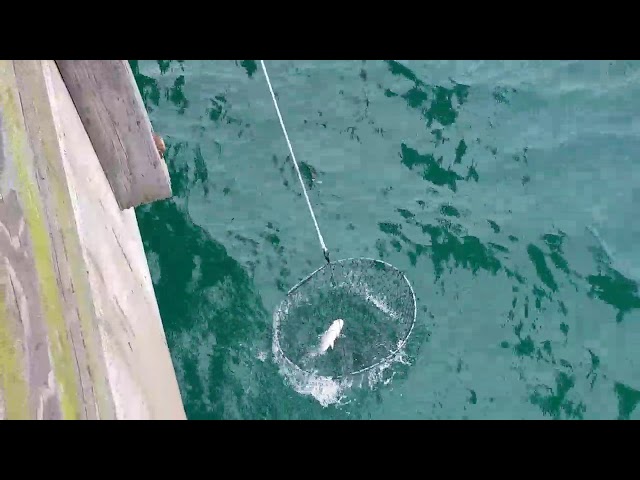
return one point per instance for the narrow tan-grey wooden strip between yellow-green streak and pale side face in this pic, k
(68, 303)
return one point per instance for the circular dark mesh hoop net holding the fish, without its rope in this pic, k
(375, 301)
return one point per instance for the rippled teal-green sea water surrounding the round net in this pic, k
(506, 191)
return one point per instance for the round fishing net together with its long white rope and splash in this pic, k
(376, 298)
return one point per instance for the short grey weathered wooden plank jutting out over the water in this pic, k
(111, 109)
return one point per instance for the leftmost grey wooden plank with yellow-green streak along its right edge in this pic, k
(33, 322)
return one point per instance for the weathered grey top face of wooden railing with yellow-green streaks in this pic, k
(42, 310)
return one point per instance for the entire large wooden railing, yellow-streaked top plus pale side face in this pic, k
(80, 332)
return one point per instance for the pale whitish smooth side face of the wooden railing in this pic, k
(140, 371)
